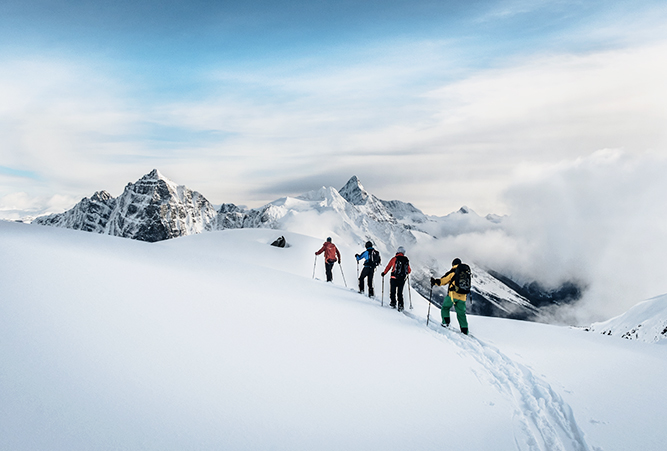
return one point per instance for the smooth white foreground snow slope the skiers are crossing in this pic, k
(221, 341)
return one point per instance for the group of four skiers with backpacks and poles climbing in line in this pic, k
(458, 279)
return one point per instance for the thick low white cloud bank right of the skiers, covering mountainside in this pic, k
(600, 221)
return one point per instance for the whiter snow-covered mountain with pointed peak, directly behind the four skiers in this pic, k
(354, 216)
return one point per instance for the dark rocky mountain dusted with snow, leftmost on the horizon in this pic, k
(152, 209)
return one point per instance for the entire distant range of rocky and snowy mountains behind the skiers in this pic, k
(154, 209)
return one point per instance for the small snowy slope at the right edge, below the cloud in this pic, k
(646, 321)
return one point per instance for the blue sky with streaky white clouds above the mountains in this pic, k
(439, 103)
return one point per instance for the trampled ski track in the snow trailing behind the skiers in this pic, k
(543, 420)
